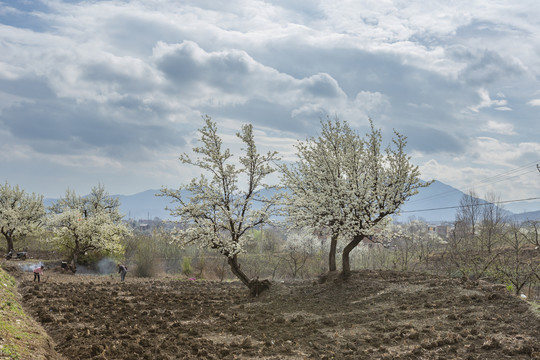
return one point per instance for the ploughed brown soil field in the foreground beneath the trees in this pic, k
(372, 315)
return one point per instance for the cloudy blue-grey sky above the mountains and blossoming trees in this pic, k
(112, 92)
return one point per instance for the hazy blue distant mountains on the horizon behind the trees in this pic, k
(435, 203)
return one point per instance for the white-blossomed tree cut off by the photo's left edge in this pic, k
(20, 213)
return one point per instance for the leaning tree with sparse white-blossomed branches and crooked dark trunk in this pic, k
(217, 213)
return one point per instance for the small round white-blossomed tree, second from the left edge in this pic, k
(90, 223)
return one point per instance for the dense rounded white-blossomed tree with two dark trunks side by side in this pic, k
(348, 184)
